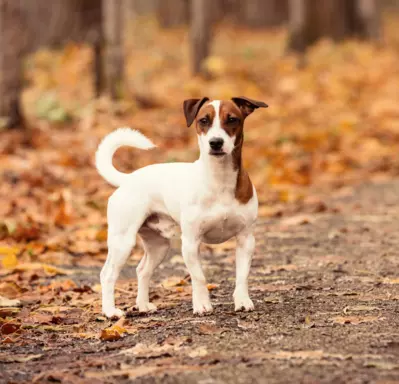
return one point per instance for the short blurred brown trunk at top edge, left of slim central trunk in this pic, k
(172, 13)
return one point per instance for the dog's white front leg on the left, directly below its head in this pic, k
(190, 250)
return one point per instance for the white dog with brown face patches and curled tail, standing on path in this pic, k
(210, 200)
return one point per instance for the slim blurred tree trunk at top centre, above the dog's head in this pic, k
(200, 33)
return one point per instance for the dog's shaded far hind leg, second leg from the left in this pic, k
(156, 248)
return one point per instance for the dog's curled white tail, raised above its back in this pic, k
(109, 145)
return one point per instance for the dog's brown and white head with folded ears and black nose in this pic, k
(219, 124)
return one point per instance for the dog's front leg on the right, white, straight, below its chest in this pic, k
(244, 252)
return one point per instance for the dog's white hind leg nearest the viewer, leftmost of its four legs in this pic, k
(125, 217)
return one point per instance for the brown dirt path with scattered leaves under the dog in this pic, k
(326, 289)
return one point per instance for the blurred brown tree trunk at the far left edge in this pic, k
(11, 47)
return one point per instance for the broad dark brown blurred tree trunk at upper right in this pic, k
(338, 19)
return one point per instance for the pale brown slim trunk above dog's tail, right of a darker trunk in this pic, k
(113, 62)
